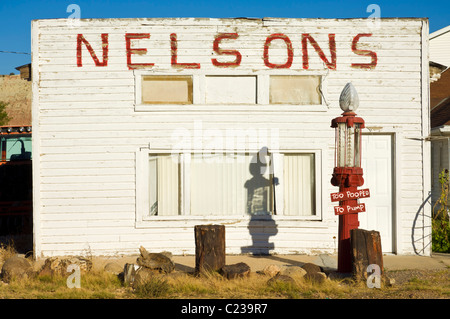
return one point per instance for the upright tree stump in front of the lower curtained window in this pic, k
(209, 247)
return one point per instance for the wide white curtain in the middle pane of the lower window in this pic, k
(229, 184)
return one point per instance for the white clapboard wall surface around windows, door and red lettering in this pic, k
(87, 132)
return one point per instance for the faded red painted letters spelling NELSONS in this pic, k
(224, 58)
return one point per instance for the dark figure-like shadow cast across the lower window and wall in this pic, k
(259, 206)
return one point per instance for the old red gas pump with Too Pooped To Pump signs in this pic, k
(347, 173)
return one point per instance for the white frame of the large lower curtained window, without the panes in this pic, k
(143, 218)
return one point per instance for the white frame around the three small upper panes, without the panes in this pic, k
(262, 92)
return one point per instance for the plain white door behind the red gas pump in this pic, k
(377, 170)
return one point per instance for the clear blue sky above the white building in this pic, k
(16, 15)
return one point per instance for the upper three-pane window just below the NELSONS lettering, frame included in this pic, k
(249, 91)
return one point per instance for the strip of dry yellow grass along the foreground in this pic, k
(99, 284)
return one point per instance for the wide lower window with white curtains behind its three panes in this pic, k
(227, 184)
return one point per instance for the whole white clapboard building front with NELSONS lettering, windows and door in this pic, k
(144, 128)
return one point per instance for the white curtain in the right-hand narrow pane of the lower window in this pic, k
(299, 184)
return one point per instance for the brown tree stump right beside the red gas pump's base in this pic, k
(366, 250)
